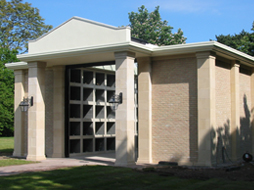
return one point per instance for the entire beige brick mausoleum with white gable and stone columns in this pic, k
(189, 103)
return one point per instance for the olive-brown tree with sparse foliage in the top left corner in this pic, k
(19, 23)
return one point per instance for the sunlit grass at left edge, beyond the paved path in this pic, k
(6, 149)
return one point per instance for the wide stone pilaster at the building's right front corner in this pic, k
(206, 106)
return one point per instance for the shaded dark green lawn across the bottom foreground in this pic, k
(104, 177)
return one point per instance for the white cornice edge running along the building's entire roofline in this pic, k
(144, 50)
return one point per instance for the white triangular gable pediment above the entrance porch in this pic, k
(78, 33)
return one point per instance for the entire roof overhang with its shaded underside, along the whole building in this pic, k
(106, 53)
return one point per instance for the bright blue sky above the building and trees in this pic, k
(200, 20)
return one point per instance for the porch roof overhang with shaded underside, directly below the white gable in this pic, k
(86, 55)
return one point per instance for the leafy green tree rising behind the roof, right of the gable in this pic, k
(149, 27)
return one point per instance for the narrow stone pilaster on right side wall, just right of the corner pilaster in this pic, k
(235, 112)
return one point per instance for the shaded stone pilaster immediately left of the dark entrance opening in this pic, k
(58, 112)
